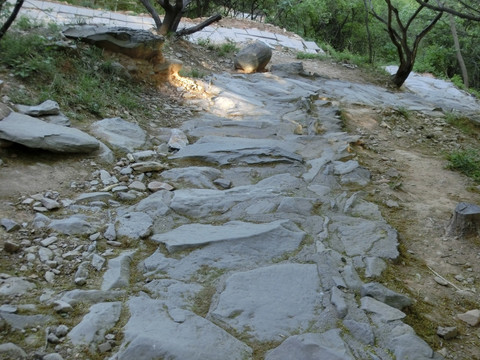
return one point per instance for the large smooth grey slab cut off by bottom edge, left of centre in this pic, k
(156, 332)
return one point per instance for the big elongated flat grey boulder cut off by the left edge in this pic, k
(38, 134)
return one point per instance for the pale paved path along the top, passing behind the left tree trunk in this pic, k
(67, 14)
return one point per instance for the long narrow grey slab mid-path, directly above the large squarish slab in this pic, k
(194, 235)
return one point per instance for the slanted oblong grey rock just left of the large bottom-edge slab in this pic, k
(93, 327)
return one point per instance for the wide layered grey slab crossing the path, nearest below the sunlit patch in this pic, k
(230, 150)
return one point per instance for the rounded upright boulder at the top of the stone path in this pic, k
(253, 57)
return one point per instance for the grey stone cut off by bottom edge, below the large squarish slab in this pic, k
(312, 346)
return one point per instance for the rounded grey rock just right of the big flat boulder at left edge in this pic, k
(121, 135)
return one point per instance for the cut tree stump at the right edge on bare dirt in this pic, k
(465, 221)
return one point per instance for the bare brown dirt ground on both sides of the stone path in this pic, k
(411, 184)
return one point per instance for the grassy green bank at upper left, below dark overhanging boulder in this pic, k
(80, 80)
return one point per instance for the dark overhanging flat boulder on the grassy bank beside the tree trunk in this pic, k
(135, 43)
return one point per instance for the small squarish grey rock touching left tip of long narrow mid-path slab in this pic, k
(134, 225)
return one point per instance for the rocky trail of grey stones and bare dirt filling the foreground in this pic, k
(256, 229)
